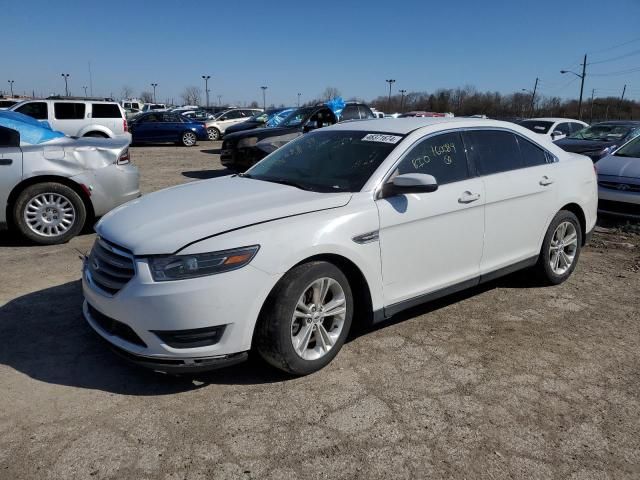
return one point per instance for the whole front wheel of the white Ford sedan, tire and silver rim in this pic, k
(307, 319)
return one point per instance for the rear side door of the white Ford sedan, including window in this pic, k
(518, 178)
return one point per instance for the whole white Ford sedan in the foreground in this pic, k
(347, 224)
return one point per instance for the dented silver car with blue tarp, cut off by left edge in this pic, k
(49, 191)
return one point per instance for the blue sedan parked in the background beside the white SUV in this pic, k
(160, 127)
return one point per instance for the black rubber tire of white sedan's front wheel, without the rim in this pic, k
(273, 332)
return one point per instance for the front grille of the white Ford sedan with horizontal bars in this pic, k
(110, 266)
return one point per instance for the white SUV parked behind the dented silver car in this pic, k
(78, 118)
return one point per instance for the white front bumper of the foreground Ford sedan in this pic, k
(142, 307)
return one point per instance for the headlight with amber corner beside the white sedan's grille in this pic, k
(179, 267)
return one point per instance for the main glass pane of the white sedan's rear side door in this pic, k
(493, 151)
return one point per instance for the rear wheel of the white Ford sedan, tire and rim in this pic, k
(560, 248)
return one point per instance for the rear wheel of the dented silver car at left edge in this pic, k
(49, 213)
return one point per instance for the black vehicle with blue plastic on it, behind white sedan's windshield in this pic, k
(241, 150)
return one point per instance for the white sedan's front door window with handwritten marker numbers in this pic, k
(442, 156)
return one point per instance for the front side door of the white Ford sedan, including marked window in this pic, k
(431, 241)
